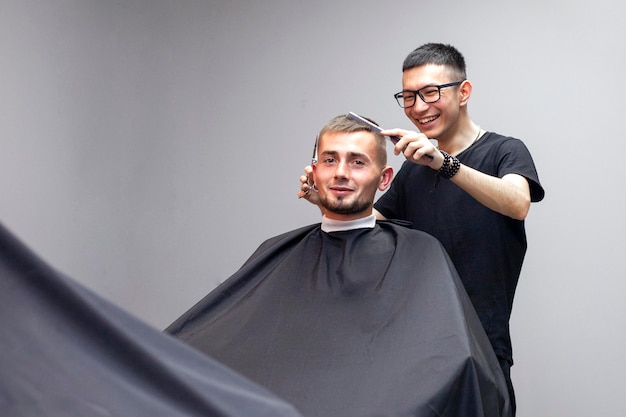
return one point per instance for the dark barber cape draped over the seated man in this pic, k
(364, 323)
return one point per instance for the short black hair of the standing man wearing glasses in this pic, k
(437, 54)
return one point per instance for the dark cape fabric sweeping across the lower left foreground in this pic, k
(66, 352)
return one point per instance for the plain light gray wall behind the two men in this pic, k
(148, 146)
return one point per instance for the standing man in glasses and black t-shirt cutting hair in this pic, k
(472, 192)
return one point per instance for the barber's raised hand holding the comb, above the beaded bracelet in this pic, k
(416, 147)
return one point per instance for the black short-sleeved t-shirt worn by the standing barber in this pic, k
(486, 247)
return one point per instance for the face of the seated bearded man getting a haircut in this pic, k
(347, 174)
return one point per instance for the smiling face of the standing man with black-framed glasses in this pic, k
(433, 119)
